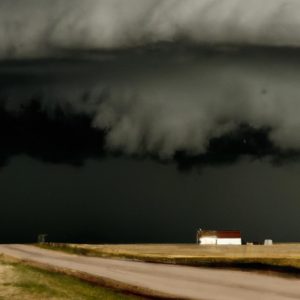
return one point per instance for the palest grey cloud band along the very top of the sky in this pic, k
(43, 27)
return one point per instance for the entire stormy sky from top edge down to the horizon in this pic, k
(141, 121)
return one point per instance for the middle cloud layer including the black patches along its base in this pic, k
(222, 104)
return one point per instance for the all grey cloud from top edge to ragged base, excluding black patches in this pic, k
(157, 77)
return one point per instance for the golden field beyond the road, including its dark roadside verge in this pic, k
(278, 257)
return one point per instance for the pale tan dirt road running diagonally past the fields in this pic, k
(178, 281)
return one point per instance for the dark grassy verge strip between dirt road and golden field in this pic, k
(279, 264)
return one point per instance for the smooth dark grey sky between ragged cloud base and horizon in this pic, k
(120, 200)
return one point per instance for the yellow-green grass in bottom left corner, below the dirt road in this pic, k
(20, 281)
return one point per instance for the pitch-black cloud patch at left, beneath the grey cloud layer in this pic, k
(57, 138)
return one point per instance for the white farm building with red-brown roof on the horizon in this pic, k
(223, 237)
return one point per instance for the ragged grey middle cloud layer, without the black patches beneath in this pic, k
(168, 101)
